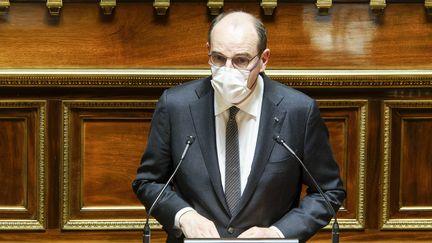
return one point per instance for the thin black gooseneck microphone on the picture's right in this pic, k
(335, 228)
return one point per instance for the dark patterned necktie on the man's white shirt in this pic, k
(232, 162)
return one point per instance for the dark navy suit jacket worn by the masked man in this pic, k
(272, 193)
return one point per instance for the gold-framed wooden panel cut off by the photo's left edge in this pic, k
(22, 165)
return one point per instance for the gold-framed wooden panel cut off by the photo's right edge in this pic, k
(406, 171)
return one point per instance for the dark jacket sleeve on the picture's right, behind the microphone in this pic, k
(312, 213)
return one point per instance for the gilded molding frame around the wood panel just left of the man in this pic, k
(67, 202)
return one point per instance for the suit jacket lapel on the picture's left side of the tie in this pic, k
(202, 112)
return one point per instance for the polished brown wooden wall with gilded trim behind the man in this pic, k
(68, 153)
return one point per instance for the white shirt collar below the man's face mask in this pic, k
(251, 105)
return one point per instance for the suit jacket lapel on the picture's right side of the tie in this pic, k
(270, 124)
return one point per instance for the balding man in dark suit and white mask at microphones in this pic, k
(235, 180)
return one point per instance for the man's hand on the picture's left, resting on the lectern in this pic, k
(194, 225)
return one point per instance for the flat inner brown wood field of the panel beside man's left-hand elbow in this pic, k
(111, 150)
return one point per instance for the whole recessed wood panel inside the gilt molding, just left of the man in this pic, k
(106, 144)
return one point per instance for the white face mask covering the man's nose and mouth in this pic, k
(230, 83)
